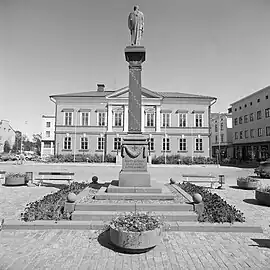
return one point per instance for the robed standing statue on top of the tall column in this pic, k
(136, 26)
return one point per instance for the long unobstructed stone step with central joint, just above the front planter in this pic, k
(130, 207)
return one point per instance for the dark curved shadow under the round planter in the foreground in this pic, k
(104, 240)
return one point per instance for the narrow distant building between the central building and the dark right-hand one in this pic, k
(221, 135)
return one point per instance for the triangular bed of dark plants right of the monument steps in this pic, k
(215, 208)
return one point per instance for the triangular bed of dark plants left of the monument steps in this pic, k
(51, 206)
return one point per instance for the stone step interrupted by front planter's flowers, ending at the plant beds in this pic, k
(186, 216)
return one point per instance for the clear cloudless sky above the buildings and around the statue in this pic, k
(208, 47)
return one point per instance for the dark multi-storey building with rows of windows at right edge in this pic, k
(251, 126)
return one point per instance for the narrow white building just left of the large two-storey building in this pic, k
(47, 136)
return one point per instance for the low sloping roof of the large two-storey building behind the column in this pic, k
(106, 93)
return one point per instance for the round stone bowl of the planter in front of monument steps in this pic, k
(135, 240)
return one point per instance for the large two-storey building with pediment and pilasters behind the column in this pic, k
(95, 122)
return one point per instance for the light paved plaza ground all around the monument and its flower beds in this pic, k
(68, 249)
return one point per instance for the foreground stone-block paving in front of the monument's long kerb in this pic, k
(63, 249)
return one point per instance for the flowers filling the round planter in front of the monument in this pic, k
(136, 222)
